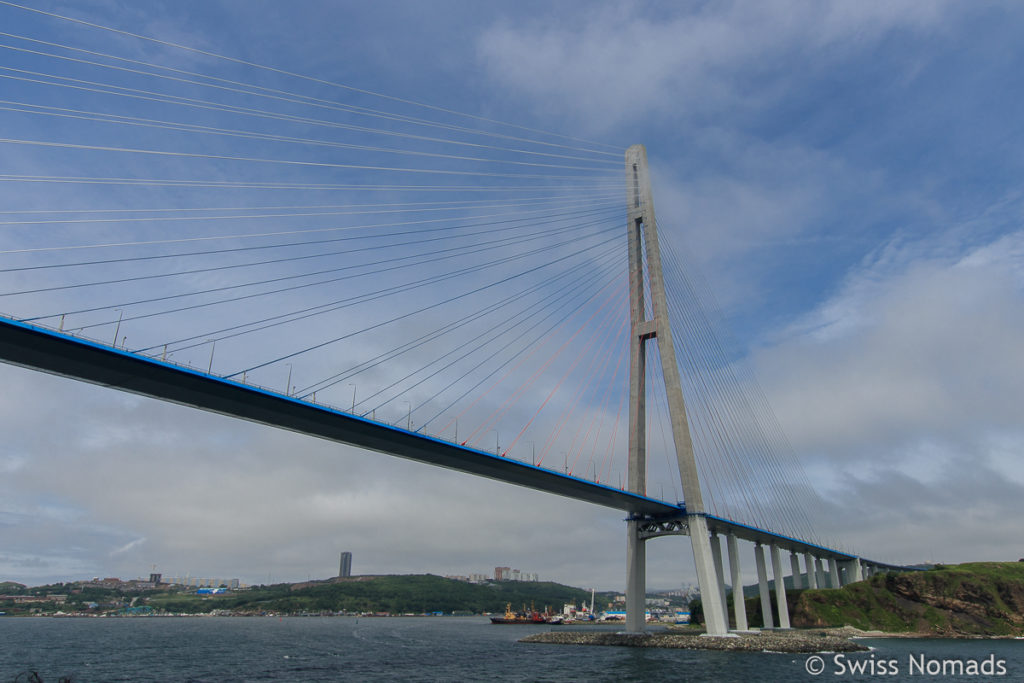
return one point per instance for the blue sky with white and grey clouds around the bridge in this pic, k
(844, 177)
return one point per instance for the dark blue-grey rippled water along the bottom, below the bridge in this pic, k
(412, 650)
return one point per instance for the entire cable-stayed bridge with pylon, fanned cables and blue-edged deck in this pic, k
(444, 287)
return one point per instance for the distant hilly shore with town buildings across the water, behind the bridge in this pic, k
(345, 594)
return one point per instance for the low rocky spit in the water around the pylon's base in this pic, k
(797, 642)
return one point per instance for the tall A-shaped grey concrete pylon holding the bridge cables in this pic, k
(646, 327)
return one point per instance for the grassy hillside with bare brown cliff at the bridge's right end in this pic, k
(974, 600)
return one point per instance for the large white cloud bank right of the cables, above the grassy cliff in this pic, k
(903, 394)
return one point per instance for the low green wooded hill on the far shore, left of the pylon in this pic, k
(394, 594)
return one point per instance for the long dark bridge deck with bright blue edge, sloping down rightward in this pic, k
(51, 352)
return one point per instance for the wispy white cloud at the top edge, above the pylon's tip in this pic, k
(601, 72)
